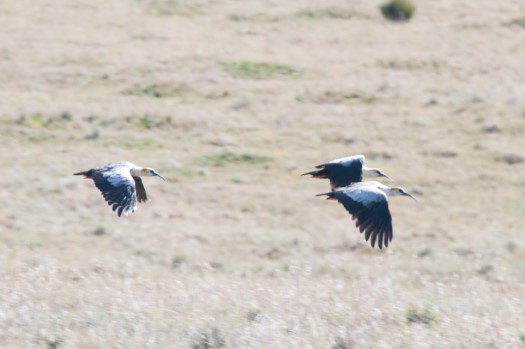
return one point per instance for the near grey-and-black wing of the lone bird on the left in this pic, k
(118, 188)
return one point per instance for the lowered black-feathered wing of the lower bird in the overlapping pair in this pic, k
(372, 218)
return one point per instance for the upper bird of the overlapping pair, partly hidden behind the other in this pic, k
(345, 171)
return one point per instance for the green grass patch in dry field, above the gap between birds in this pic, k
(253, 70)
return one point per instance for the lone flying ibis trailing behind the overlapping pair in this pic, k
(121, 185)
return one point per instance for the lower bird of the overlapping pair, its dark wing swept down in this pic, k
(367, 202)
